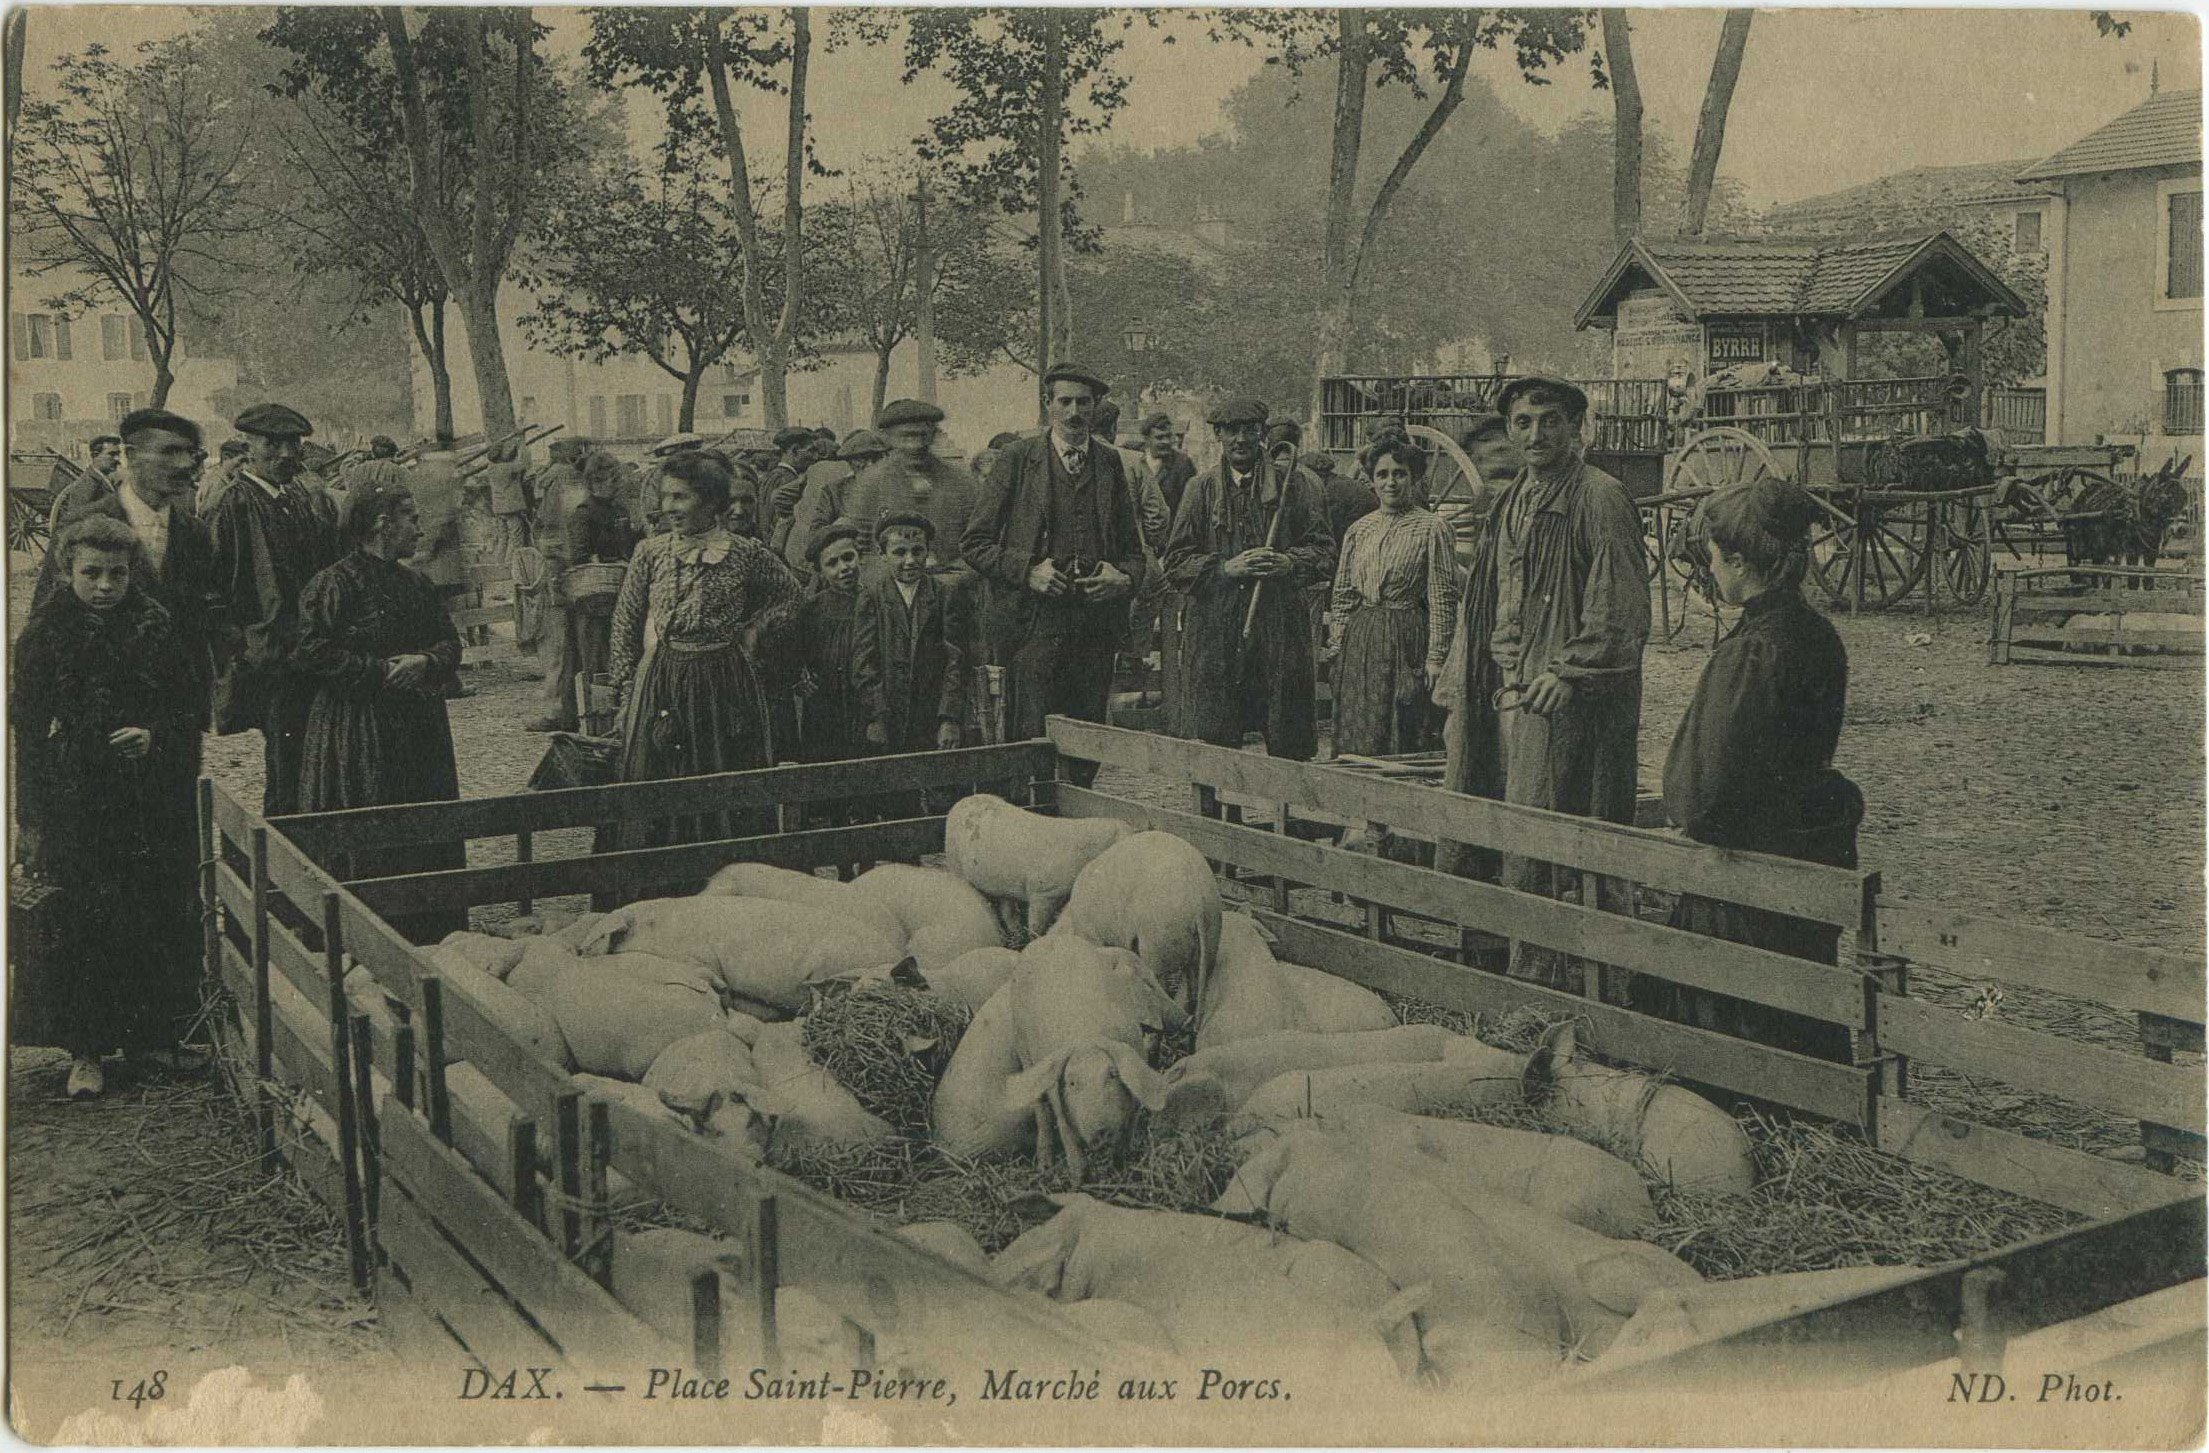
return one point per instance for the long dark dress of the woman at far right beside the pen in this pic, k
(1753, 770)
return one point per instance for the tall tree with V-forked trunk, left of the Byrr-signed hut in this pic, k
(1380, 47)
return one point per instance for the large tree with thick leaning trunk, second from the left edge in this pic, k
(485, 127)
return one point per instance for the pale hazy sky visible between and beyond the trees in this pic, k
(1830, 98)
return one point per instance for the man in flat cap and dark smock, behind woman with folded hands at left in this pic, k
(273, 533)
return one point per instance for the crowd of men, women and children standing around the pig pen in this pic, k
(834, 600)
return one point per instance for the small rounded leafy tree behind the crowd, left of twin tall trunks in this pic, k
(648, 266)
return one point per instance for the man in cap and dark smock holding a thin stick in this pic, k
(1247, 527)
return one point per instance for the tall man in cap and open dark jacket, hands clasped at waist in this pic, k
(1057, 540)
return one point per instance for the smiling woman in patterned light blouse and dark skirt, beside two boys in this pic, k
(681, 646)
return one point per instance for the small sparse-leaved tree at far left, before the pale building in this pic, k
(131, 180)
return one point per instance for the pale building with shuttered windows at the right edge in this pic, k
(2126, 282)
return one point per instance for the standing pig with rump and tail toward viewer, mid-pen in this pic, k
(1154, 895)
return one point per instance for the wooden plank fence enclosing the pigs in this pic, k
(476, 1178)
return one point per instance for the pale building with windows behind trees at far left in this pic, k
(74, 379)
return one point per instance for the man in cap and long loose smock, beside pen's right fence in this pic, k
(1561, 604)
